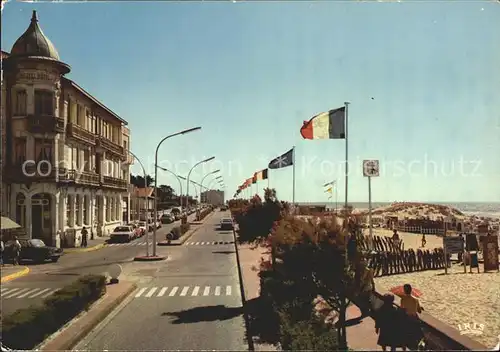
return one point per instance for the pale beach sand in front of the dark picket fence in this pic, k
(456, 298)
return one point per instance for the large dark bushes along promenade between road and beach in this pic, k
(311, 262)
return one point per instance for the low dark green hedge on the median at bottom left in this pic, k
(28, 327)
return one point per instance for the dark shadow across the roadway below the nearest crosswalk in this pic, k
(208, 313)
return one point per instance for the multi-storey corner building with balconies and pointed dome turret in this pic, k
(65, 157)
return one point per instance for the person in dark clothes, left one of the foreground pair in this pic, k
(388, 324)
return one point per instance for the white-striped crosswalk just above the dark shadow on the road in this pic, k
(184, 291)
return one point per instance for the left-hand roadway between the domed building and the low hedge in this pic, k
(45, 279)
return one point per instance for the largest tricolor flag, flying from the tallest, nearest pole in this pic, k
(327, 125)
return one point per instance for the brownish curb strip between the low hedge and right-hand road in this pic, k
(53, 344)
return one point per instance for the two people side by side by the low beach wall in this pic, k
(399, 327)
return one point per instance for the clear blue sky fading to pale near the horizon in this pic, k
(422, 79)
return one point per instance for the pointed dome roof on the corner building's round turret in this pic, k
(34, 43)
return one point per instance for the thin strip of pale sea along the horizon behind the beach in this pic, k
(486, 209)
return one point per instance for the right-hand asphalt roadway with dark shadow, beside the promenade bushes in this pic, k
(190, 302)
